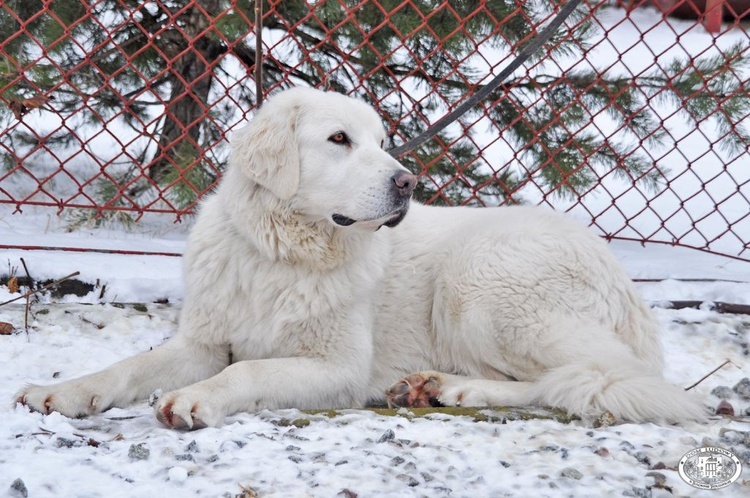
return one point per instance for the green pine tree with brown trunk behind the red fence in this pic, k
(174, 71)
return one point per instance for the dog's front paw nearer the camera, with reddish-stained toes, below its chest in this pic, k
(187, 409)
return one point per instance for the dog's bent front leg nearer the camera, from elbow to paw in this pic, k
(304, 383)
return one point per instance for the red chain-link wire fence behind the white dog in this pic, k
(629, 119)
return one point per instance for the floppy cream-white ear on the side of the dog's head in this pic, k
(266, 150)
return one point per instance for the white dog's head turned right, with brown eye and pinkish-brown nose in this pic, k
(323, 152)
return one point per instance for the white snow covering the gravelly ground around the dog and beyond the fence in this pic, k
(126, 452)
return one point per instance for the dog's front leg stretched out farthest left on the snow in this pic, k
(175, 364)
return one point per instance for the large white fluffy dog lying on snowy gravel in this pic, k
(296, 298)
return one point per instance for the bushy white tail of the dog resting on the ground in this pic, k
(627, 392)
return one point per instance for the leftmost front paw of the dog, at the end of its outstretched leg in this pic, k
(72, 399)
